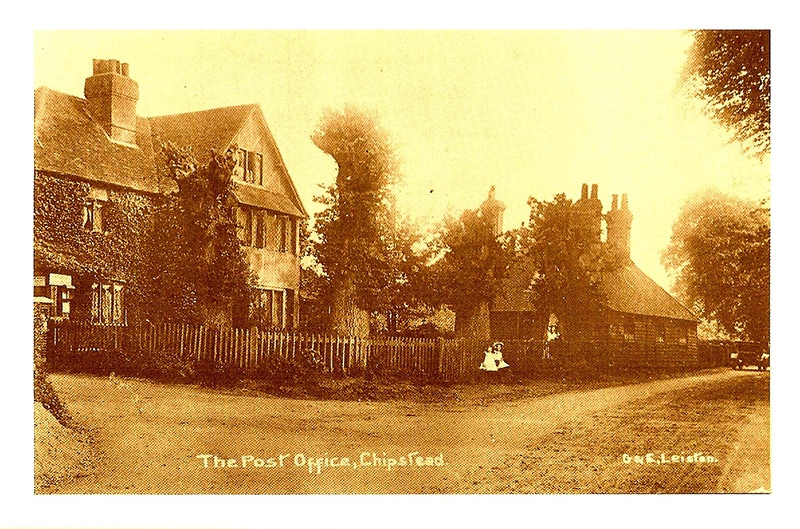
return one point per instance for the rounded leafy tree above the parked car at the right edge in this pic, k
(719, 253)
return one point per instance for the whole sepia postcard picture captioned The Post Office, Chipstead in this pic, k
(401, 262)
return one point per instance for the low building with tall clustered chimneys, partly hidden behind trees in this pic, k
(643, 324)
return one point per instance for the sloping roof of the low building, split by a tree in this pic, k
(626, 289)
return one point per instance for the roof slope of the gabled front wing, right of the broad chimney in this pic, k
(202, 131)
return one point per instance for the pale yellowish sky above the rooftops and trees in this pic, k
(533, 113)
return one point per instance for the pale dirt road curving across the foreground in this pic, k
(150, 435)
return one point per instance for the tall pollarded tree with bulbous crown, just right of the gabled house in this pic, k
(355, 231)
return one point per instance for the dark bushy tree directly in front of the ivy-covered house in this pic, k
(197, 268)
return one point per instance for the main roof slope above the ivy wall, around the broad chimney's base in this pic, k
(68, 141)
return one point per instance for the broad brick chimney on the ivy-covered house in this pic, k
(112, 97)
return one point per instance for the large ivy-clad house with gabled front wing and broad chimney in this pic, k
(95, 182)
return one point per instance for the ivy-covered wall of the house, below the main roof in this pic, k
(63, 245)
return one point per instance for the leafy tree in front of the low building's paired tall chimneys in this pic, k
(568, 260)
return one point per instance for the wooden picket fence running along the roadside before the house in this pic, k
(447, 360)
